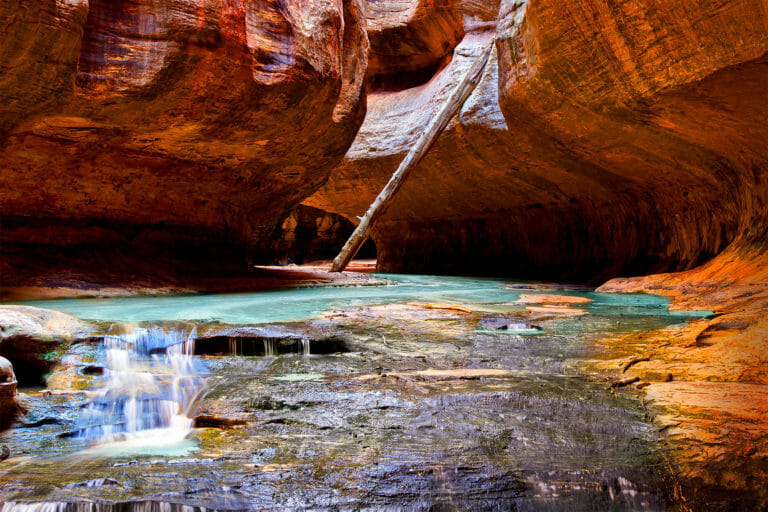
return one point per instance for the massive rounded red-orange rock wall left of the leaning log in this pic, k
(174, 116)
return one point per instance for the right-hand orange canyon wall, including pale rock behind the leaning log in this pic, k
(606, 138)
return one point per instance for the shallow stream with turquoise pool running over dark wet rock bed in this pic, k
(427, 393)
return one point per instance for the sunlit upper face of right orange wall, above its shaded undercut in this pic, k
(641, 48)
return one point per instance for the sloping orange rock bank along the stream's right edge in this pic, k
(705, 382)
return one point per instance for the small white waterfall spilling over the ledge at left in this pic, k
(152, 386)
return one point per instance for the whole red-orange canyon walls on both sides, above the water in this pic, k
(605, 138)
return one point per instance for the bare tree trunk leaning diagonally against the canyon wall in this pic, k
(414, 156)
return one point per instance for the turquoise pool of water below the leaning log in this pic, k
(304, 303)
